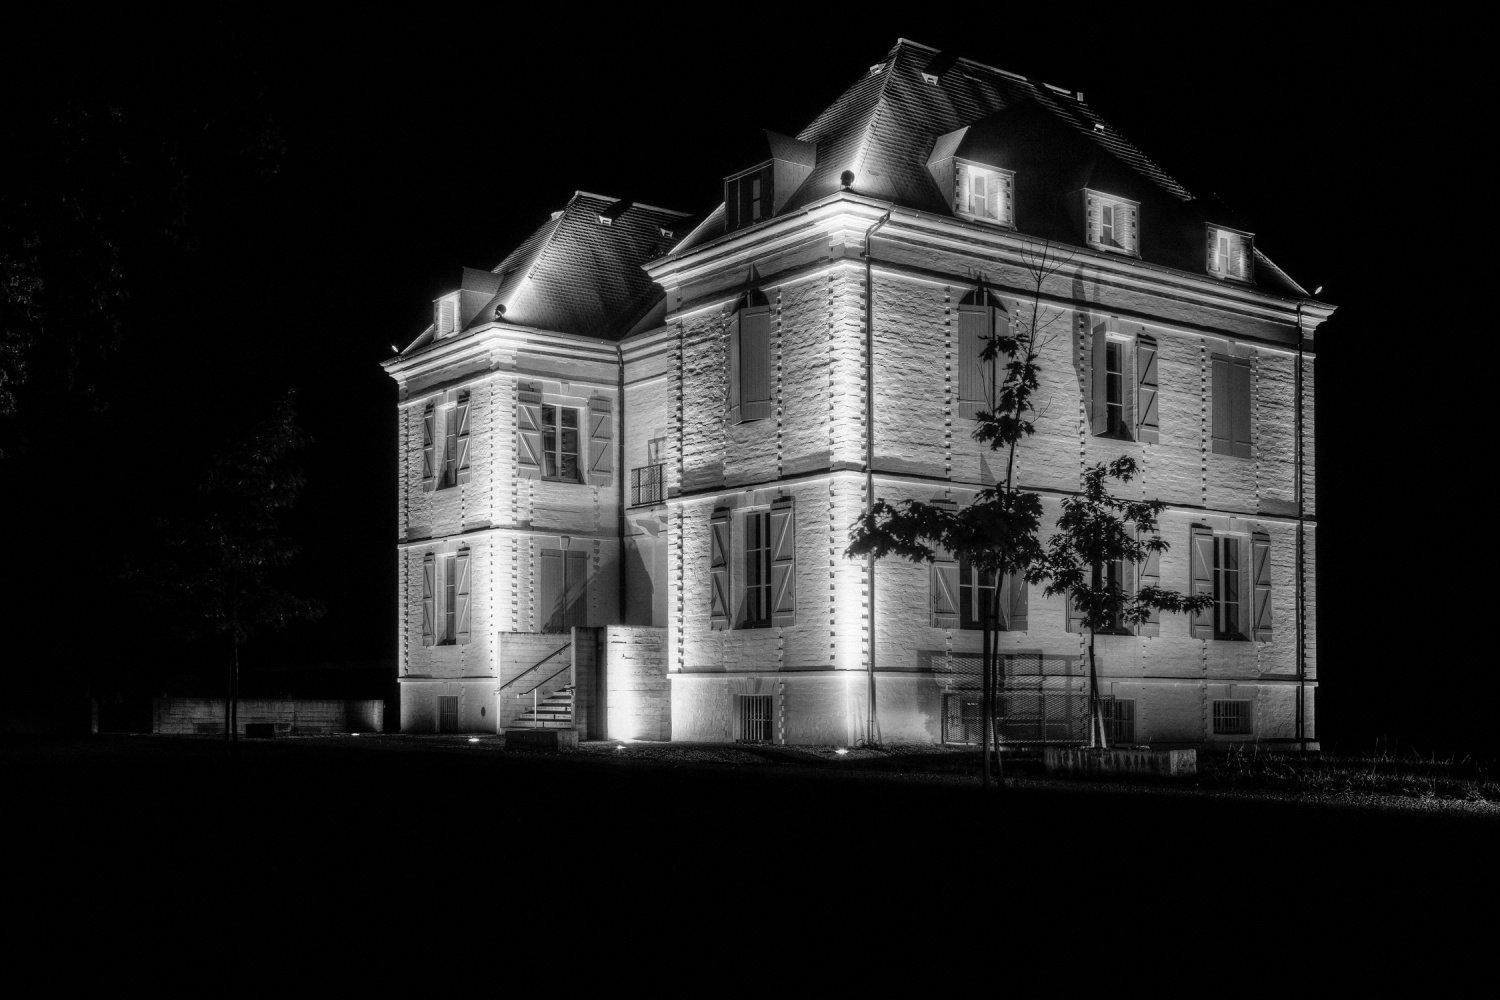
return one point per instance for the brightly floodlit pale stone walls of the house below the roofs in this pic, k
(863, 368)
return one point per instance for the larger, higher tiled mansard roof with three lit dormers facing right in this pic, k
(887, 125)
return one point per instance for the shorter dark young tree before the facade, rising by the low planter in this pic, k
(1099, 539)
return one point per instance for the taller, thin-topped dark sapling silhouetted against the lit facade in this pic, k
(997, 534)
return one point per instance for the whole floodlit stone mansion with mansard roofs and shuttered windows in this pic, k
(650, 434)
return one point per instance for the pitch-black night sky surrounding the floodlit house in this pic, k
(418, 146)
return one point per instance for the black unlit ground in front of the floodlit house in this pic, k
(394, 843)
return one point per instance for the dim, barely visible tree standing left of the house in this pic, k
(224, 554)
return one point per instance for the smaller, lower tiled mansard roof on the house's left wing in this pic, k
(581, 272)
